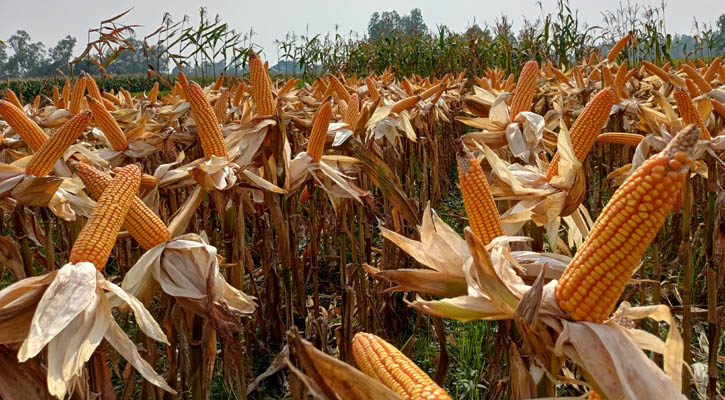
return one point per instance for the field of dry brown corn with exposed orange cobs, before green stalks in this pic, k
(293, 238)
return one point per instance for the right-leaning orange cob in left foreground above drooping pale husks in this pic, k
(98, 236)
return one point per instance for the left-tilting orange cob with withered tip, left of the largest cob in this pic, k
(477, 199)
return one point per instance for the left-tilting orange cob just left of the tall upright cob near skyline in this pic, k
(207, 126)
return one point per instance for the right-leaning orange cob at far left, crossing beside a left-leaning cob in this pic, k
(43, 160)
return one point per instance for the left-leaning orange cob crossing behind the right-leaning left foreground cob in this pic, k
(143, 224)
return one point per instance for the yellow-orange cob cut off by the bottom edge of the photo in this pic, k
(383, 362)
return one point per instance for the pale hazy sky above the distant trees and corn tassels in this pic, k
(48, 21)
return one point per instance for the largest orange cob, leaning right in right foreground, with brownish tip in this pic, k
(596, 276)
